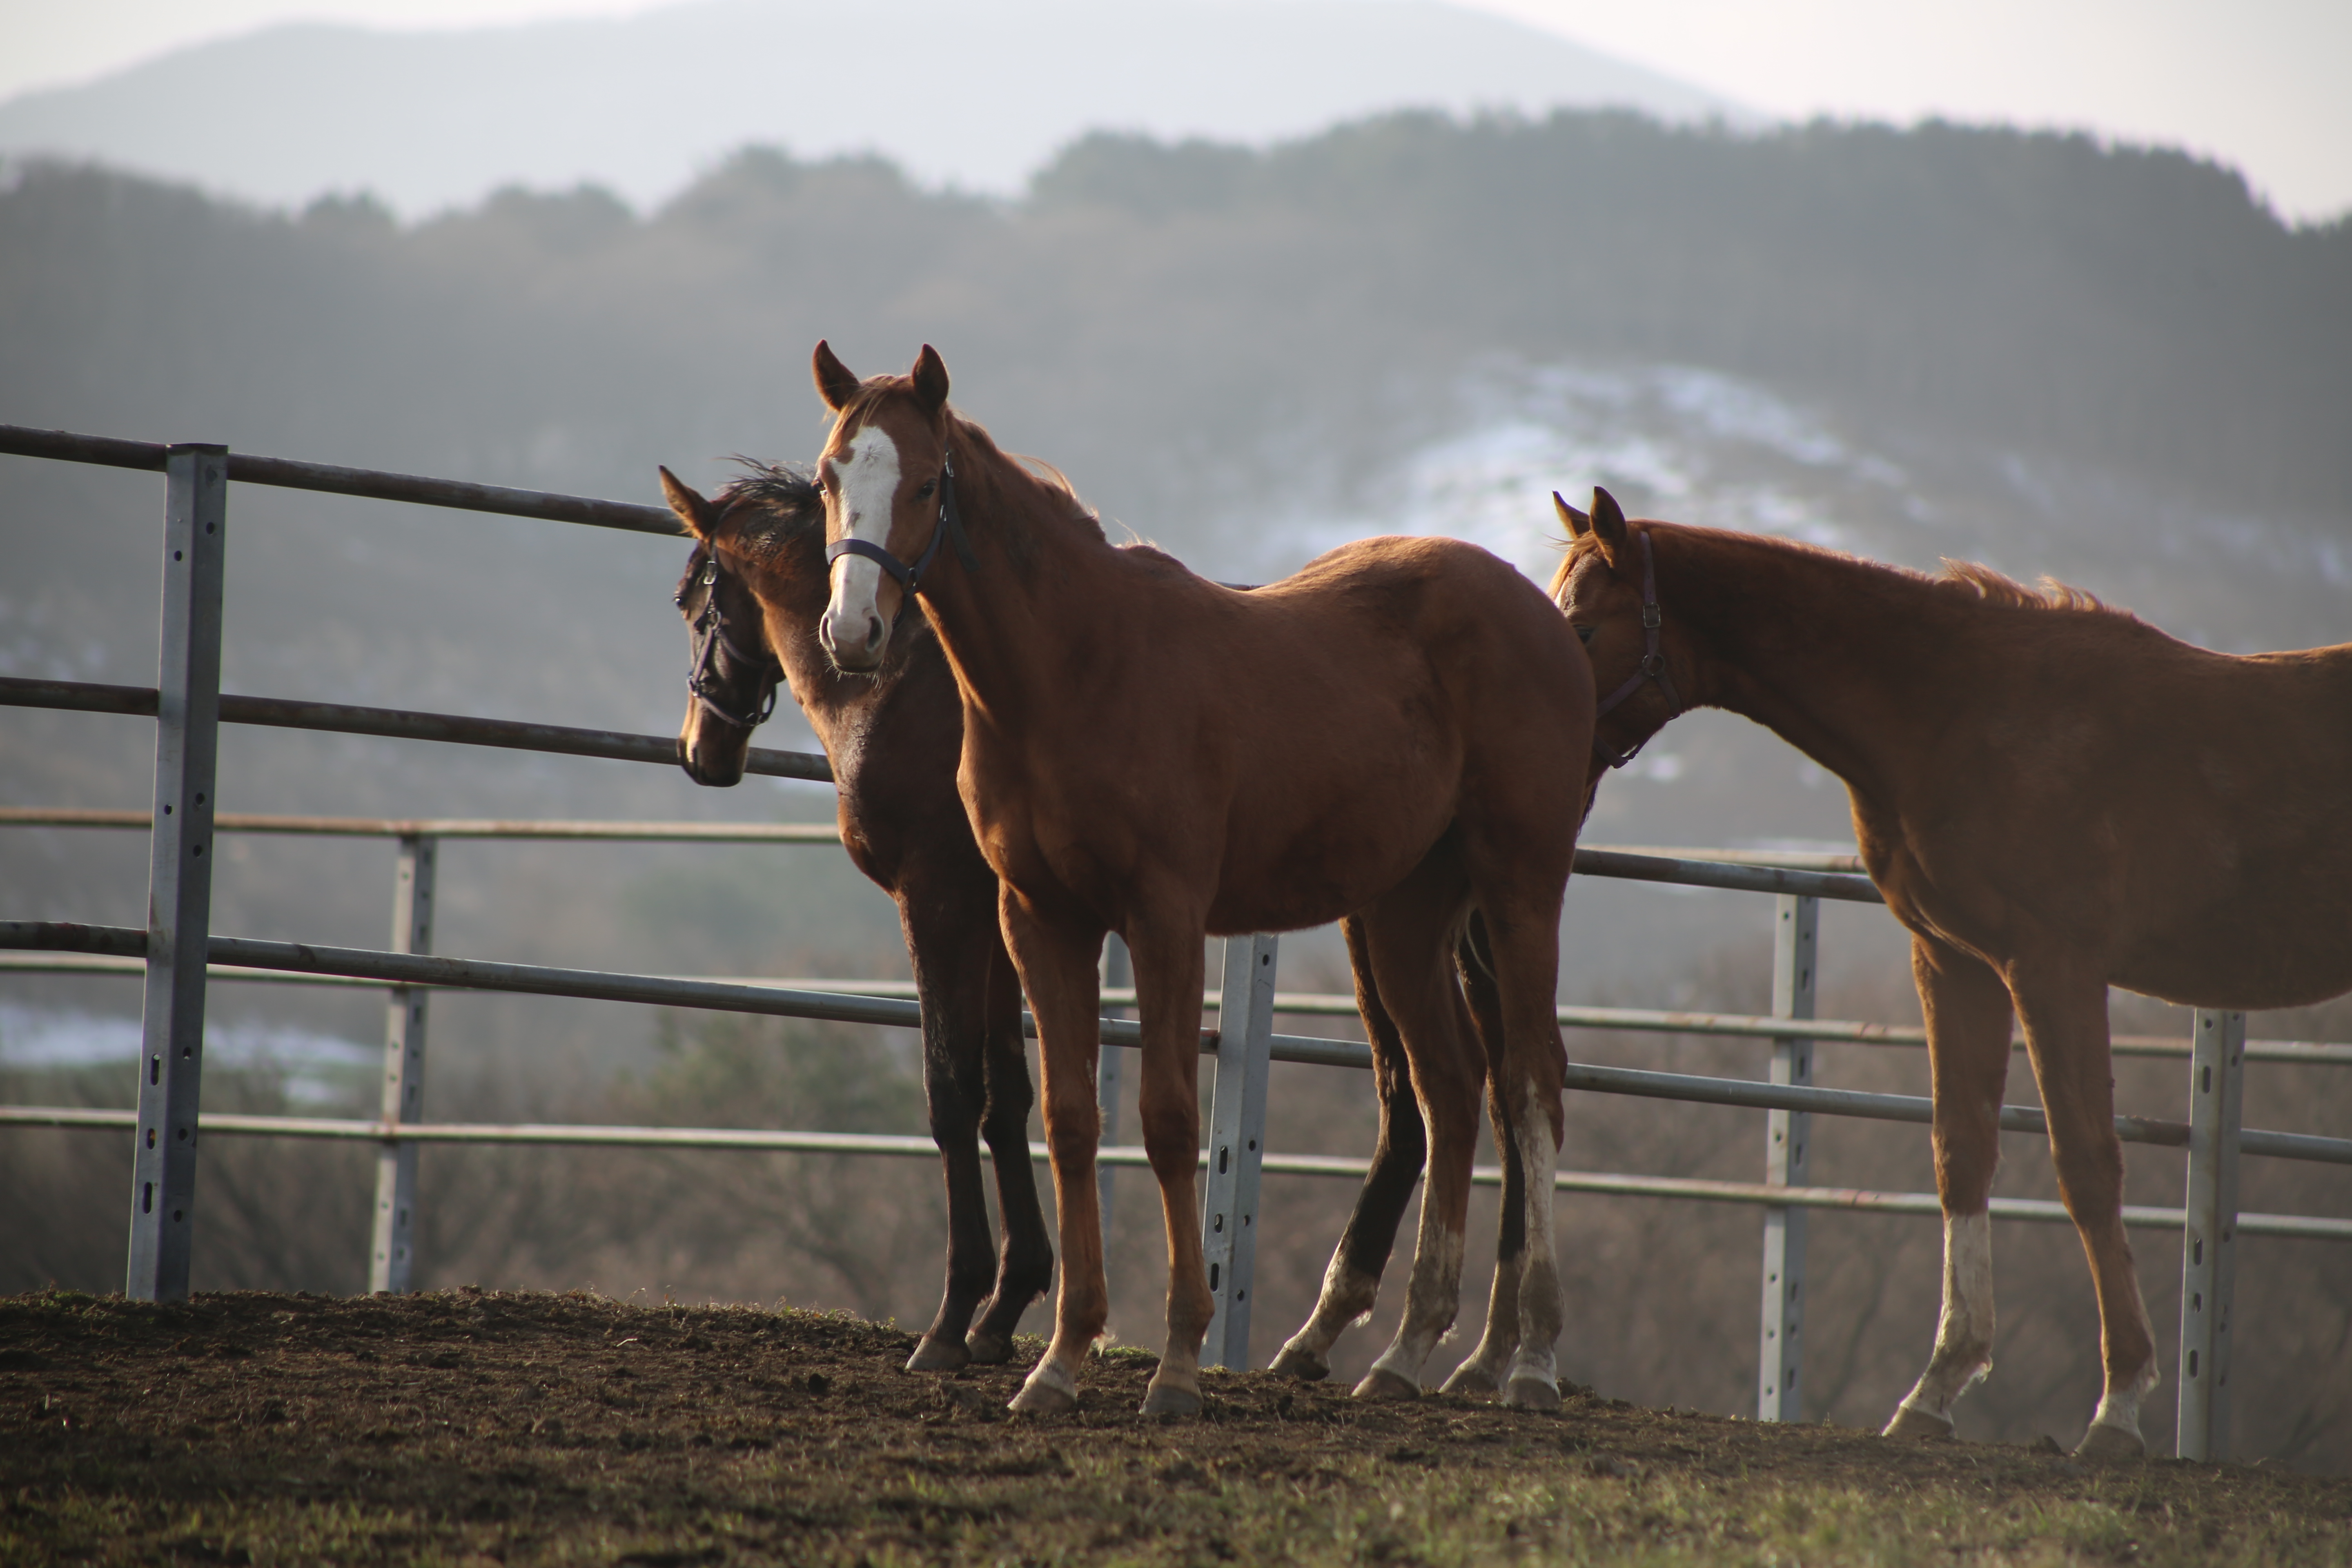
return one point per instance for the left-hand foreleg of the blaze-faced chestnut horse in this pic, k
(1060, 972)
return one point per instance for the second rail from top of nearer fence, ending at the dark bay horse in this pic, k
(403, 725)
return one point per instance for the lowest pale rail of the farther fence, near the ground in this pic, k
(759, 1141)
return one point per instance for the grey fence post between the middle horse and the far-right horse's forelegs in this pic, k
(1786, 1148)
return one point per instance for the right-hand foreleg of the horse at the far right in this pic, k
(2066, 1031)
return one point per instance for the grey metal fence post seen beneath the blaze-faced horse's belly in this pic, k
(1245, 1036)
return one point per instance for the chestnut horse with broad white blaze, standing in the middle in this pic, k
(1389, 735)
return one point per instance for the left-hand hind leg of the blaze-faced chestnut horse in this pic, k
(1410, 942)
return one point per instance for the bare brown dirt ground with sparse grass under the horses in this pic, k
(573, 1428)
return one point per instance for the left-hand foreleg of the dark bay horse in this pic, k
(951, 977)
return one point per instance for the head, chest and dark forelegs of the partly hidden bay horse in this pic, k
(754, 591)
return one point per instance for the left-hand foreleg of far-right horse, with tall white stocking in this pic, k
(1967, 1050)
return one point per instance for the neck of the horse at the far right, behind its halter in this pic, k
(1829, 655)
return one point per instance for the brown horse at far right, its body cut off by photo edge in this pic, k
(2054, 798)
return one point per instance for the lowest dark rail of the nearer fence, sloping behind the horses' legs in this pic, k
(841, 1007)
